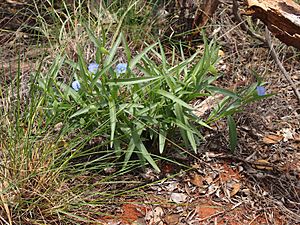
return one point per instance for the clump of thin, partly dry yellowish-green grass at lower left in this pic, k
(39, 181)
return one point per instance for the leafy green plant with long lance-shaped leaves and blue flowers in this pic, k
(145, 104)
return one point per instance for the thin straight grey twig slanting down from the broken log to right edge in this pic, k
(276, 59)
